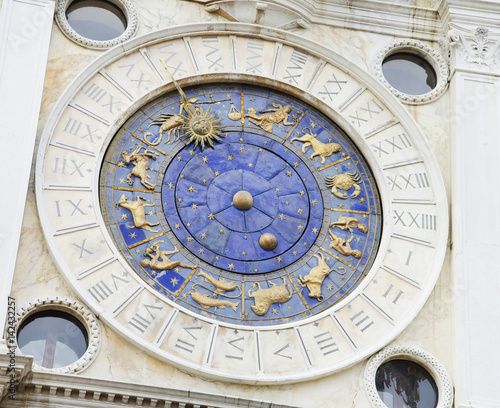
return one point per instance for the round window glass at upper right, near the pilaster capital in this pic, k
(409, 73)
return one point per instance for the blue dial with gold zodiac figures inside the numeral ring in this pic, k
(304, 236)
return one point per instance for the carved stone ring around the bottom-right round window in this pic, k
(412, 353)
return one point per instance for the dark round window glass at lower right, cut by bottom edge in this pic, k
(405, 384)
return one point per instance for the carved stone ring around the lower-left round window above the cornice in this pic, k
(76, 309)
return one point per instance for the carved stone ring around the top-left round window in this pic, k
(125, 5)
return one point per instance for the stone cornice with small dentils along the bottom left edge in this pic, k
(66, 390)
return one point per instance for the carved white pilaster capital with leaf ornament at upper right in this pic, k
(474, 50)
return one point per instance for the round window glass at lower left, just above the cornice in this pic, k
(56, 339)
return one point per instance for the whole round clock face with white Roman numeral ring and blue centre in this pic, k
(253, 230)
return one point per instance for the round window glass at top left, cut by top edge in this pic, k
(96, 20)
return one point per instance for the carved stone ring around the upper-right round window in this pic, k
(417, 48)
